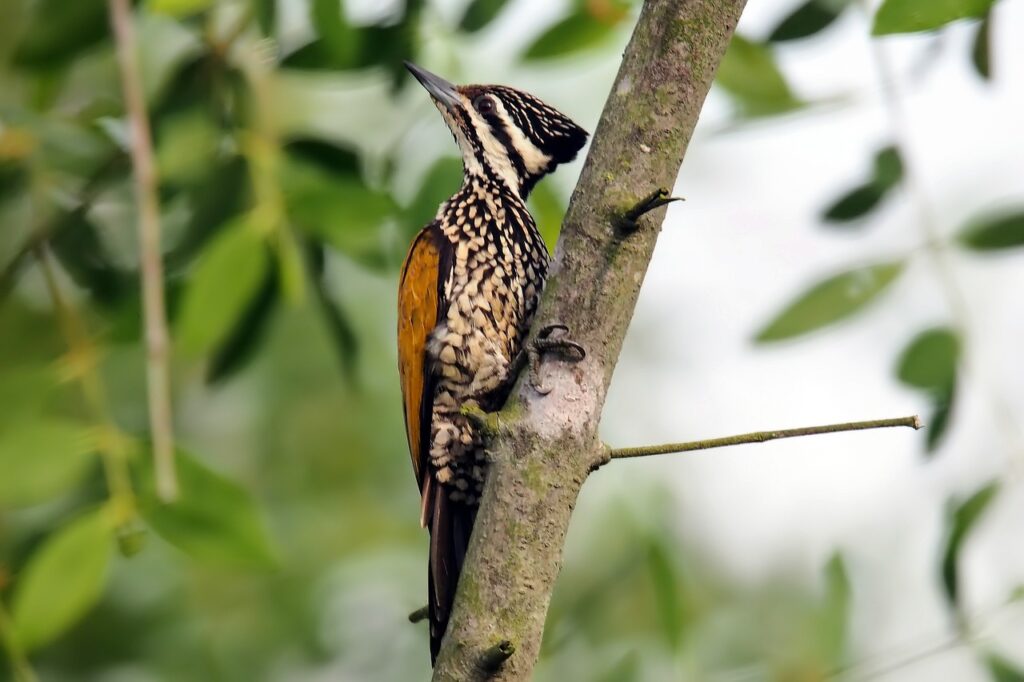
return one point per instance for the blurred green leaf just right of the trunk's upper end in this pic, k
(750, 75)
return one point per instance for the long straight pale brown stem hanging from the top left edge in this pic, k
(157, 338)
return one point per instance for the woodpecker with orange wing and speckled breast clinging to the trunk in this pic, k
(468, 290)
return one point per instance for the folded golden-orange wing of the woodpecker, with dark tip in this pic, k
(421, 307)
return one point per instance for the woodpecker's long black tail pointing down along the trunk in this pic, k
(451, 524)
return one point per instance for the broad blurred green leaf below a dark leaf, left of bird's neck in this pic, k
(339, 209)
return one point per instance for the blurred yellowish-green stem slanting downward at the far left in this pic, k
(82, 366)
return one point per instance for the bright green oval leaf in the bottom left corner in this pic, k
(63, 580)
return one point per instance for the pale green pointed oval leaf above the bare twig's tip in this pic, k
(831, 301)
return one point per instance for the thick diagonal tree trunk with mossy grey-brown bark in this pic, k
(543, 447)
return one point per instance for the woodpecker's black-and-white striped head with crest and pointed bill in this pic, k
(505, 135)
